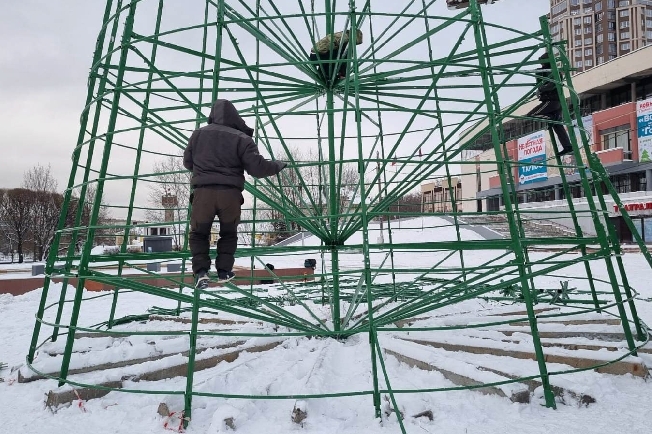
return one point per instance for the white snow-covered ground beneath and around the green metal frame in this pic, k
(302, 365)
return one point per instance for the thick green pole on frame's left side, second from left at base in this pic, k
(83, 265)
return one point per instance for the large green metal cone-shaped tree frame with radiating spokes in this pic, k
(140, 101)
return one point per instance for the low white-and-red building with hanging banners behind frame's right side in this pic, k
(616, 107)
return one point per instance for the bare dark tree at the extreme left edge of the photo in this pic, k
(16, 213)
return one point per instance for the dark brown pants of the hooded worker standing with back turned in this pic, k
(208, 202)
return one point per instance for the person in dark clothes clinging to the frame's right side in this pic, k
(550, 106)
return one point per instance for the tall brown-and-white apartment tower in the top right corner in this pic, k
(600, 30)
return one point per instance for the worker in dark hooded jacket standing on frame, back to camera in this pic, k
(218, 154)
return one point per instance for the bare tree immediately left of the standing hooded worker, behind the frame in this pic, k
(172, 182)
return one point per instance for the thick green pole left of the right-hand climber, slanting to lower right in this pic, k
(517, 246)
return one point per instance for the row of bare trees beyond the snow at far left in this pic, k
(29, 215)
